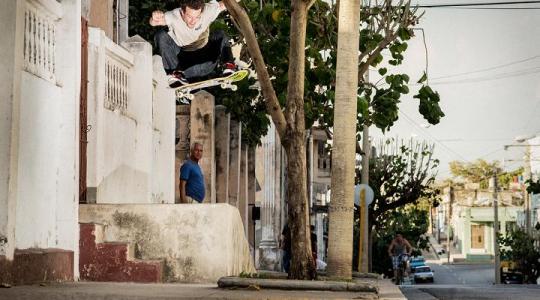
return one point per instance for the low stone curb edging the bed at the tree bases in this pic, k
(287, 284)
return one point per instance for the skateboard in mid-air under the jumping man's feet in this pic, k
(186, 91)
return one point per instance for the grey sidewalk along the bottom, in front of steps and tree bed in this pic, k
(135, 291)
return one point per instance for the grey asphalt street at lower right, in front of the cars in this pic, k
(467, 281)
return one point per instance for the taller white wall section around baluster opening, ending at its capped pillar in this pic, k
(119, 142)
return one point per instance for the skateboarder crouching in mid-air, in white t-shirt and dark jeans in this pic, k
(189, 50)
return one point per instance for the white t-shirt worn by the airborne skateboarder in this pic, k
(192, 38)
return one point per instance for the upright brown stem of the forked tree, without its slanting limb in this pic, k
(302, 264)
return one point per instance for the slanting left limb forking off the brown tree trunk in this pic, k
(246, 29)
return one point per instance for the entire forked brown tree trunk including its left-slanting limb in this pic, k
(290, 126)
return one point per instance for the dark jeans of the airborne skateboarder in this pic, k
(194, 64)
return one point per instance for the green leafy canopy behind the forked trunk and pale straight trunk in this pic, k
(383, 29)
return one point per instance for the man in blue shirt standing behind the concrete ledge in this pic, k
(191, 178)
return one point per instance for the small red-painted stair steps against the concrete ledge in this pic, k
(113, 261)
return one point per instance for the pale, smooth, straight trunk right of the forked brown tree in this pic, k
(340, 239)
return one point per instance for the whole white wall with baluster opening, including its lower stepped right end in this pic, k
(131, 148)
